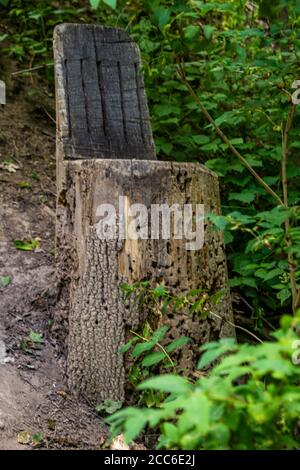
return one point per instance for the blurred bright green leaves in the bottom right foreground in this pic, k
(250, 399)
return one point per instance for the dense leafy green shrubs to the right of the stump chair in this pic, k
(223, 78)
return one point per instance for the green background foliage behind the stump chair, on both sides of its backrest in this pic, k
(241, 60)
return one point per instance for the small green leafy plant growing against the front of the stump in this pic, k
(149, 350)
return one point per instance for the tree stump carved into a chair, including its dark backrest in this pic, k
(109, 159)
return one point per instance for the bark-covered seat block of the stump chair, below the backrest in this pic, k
(98, 315)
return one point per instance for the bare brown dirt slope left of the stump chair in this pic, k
(36, 409)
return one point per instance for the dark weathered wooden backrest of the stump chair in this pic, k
(102, 109)
